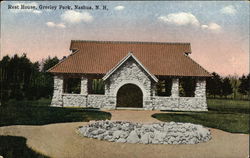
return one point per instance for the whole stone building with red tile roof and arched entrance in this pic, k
(147, 75)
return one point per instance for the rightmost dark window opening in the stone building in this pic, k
(187, 87)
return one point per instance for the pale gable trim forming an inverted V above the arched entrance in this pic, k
(130, 55)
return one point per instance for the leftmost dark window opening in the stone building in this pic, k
(72, 85)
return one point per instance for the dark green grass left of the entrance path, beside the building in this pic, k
(43, 114)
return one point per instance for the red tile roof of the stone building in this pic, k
(167, 59)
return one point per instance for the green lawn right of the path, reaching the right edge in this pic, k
(228, 115)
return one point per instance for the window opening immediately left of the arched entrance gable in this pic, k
(96, 86)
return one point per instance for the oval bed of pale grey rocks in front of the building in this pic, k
(156, 133)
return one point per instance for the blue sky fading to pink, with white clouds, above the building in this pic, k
(218, 31)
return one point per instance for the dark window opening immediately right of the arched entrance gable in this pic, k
(164, 87)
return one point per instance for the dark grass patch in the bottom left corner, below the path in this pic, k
(15, 147)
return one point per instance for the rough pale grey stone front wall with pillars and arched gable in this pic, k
(130, 73)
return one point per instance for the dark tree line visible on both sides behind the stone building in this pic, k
(22, 79)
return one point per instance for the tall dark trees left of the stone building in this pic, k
(22, 79)
